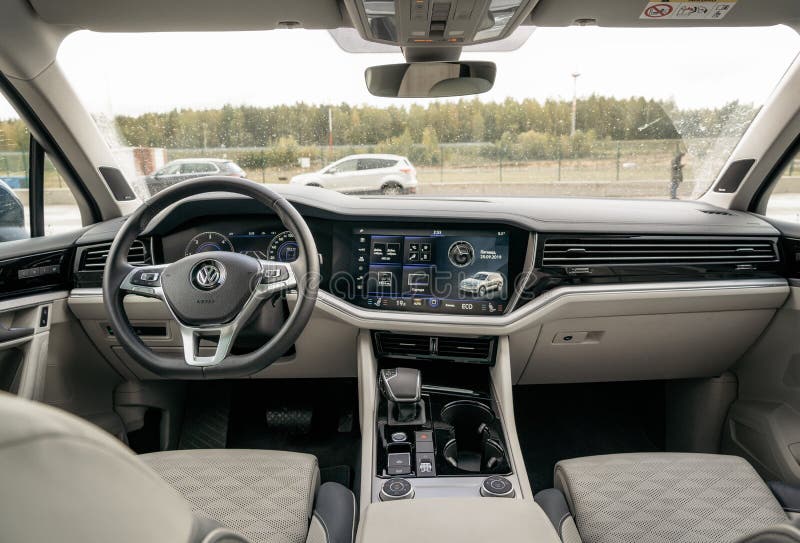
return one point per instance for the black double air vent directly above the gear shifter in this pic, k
(463, 349)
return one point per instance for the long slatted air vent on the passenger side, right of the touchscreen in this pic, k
(609, 251)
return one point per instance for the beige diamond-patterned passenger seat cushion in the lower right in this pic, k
(663, 498)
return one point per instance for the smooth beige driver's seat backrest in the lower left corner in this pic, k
(63, 479)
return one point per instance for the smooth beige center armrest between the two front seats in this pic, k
(462, 520)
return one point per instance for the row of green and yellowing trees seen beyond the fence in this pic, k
(526, 127)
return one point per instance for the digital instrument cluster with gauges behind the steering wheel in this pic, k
(268, 245)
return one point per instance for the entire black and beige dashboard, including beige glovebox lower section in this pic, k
(576, 279)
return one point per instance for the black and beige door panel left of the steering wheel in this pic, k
(45, 355)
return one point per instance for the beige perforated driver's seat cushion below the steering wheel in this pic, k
(267, 496)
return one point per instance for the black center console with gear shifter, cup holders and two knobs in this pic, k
(438, 427)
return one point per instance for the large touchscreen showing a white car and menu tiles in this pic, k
(437, 271)
